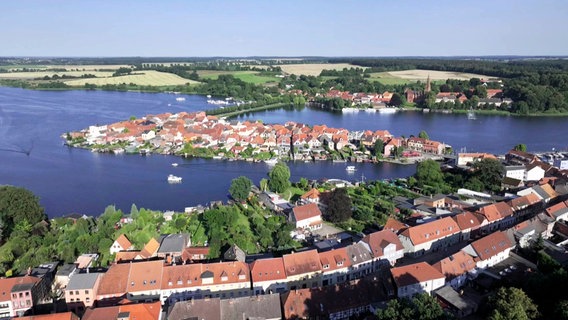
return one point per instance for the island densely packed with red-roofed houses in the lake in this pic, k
(200, 135)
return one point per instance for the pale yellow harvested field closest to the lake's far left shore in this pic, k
(141, 78)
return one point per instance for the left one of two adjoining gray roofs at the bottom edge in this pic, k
(206, 309)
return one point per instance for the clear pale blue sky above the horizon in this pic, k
(195, 28)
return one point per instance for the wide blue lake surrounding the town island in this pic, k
(32, 154)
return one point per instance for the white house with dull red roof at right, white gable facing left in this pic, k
(490, 250)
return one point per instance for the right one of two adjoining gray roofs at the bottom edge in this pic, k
(256, 307)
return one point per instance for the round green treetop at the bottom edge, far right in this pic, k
(512, 304)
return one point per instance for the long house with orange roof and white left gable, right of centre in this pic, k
(429, 236)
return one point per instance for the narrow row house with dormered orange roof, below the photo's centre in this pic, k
(335, 265)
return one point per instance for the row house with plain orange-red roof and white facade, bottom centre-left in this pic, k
(268, 276)
